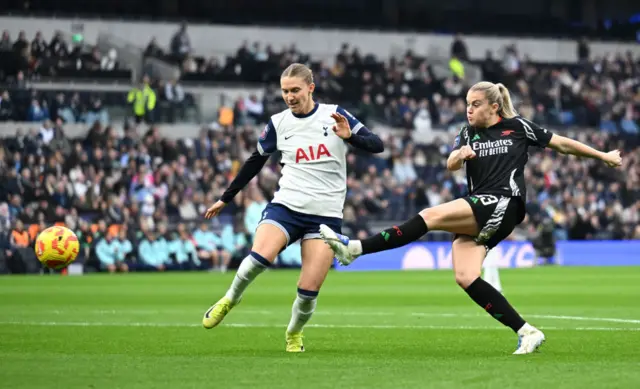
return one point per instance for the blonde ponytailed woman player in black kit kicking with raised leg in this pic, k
(493, 146)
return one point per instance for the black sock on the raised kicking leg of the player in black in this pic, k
(395, 236)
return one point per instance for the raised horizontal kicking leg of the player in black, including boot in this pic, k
(455, 216)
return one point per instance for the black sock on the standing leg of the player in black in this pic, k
(495, 304)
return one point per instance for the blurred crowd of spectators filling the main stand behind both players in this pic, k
(136, 199)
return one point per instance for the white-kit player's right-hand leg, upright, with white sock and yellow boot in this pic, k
(316, 262)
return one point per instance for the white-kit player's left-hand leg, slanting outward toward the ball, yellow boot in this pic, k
(268, 242)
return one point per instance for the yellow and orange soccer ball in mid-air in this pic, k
(56, 247)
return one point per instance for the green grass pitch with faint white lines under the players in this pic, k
(371, 330)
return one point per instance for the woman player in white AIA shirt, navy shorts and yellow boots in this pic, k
(313, 141)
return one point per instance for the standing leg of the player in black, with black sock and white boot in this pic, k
(467, 264)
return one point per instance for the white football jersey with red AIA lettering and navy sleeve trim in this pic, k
(314, 176)
